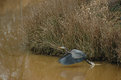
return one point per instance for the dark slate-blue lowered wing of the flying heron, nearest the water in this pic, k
(68, 60)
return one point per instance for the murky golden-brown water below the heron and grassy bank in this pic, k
(37, 67)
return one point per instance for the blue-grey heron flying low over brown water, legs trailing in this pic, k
(73, 56)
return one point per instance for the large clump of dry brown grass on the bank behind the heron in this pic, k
(86, 25)
